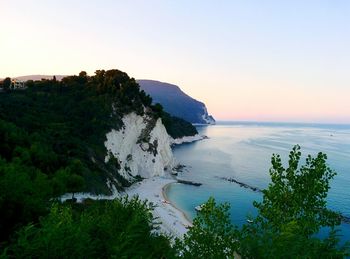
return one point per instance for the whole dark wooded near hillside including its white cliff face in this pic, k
(95, 134)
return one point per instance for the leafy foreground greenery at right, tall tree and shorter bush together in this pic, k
(292, 212)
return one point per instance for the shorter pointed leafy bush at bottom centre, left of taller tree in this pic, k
(211, 236)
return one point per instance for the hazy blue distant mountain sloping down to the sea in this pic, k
(176, 102)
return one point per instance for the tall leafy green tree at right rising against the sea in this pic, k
(292, 211)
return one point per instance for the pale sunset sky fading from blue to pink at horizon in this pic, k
(246, 60)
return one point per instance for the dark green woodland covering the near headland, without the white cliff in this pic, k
(52, 138)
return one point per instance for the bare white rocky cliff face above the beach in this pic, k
(140, 148)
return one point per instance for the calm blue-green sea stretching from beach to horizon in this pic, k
(244, 150)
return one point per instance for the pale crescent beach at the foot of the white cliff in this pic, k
(173, 221)
